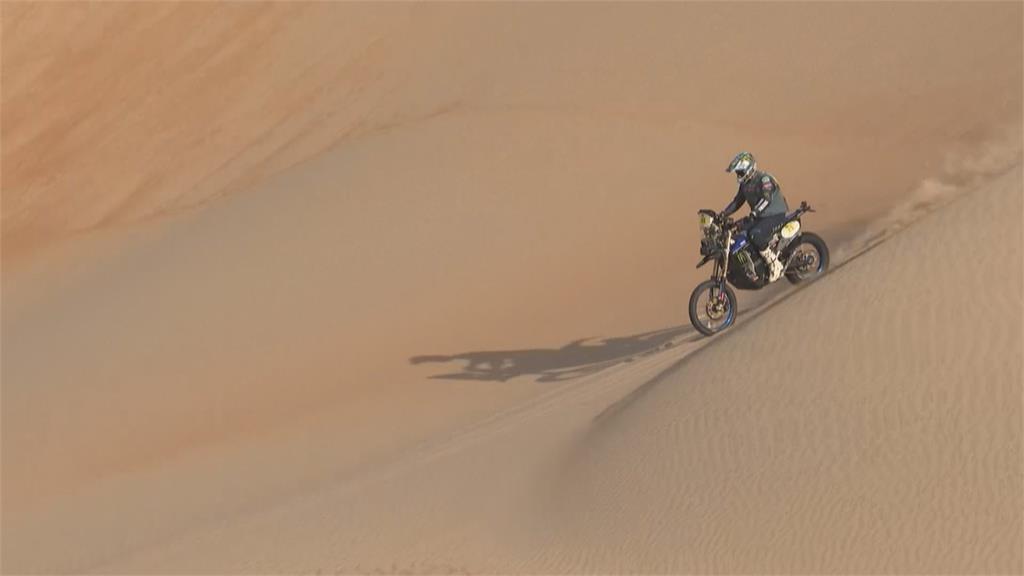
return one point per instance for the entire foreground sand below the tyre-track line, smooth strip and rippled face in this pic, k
(886, 440)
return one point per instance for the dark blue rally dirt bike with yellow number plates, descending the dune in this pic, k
(713, 305)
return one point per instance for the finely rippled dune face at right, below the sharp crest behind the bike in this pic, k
(888, 443)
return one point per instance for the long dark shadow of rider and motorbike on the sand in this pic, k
(574, 360)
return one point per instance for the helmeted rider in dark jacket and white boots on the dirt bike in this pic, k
(769, 208)
